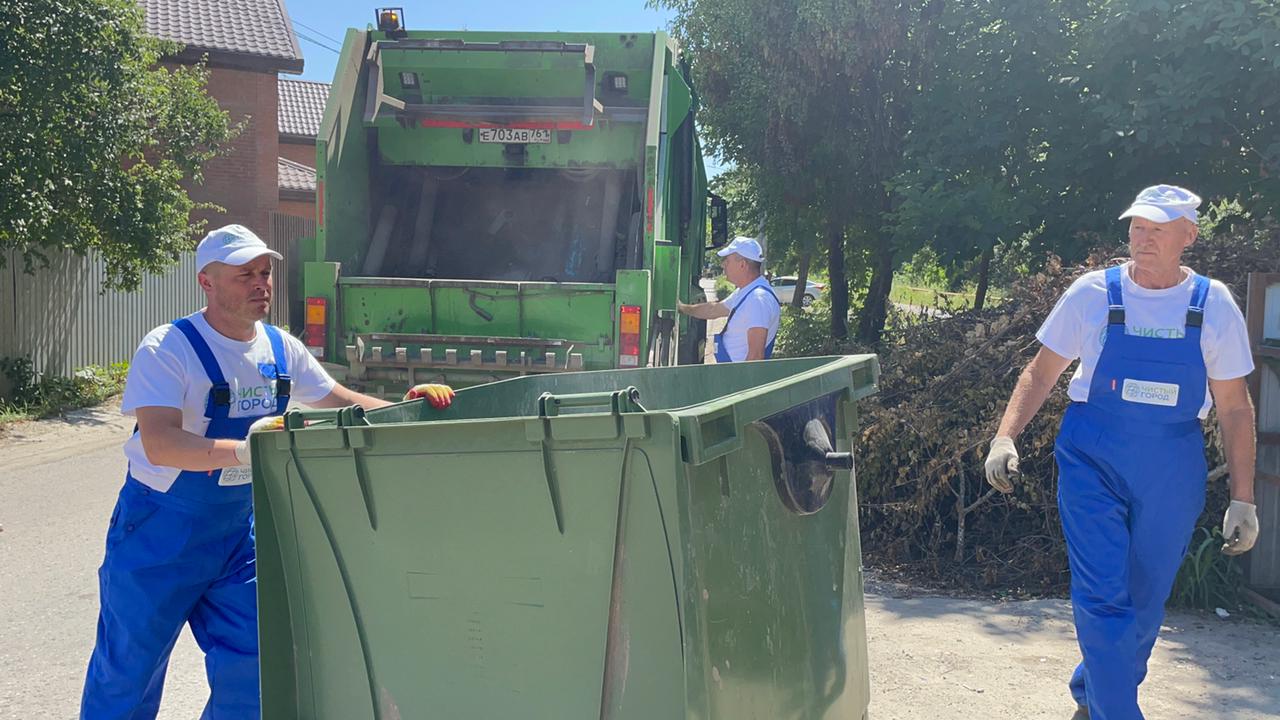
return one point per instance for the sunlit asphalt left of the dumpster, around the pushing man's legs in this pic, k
(58, 485)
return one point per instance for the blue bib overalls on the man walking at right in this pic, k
(1131, 489)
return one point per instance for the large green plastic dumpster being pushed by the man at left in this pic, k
(653, 544)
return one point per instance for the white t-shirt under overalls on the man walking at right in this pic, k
(1078, 326)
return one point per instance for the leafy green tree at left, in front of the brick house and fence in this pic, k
(97, 139)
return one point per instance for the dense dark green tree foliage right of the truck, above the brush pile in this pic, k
(975, 129)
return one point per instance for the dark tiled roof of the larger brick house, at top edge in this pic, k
(243, 28)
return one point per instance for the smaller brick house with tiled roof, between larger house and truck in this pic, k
(301, 107)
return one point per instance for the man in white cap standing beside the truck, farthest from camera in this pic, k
(753, 309)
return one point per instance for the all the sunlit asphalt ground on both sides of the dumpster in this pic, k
(932, 658)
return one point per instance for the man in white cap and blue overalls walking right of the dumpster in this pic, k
(1158, 345)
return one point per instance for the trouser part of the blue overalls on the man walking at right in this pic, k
(1130, 504)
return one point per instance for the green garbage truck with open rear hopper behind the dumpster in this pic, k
(496, 204)
